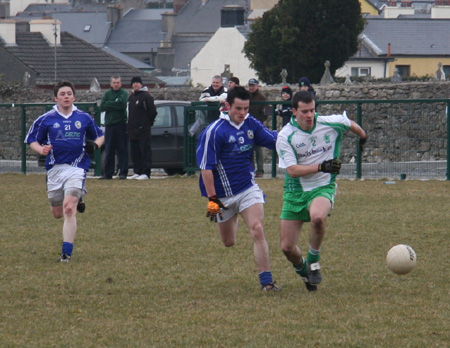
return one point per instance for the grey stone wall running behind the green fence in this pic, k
(398, 132)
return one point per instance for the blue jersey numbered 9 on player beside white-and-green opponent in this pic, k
(227, 149)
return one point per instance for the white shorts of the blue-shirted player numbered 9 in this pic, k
(238, 203)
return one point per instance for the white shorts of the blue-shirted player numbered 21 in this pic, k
(63, 179)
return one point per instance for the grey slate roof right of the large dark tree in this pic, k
(410, 36)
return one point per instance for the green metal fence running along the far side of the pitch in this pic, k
(407, 138)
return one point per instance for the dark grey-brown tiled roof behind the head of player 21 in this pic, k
(77, 61)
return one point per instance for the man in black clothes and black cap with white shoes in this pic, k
(141, 115)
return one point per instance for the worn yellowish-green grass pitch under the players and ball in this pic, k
(149, 270)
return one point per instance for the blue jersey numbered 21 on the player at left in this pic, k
(67, 134)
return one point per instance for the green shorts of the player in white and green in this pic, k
(296, 204)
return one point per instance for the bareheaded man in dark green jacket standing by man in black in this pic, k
(114, 104)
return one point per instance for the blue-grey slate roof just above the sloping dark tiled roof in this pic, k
(137, 32)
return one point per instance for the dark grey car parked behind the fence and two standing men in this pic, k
(167, 136)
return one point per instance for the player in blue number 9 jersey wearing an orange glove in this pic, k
(224, 155)
